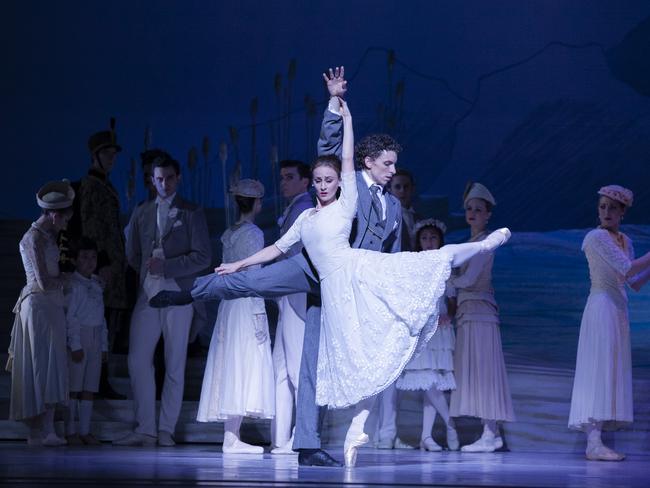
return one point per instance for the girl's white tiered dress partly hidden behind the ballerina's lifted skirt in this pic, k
(434, 366)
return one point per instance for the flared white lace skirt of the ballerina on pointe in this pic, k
(377, 310)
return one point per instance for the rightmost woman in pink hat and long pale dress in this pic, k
(602, 388)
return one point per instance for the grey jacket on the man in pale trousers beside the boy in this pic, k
(186, 242)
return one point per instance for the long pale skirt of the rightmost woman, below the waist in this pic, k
(602, 388)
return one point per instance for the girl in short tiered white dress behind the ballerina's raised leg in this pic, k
(432, 371)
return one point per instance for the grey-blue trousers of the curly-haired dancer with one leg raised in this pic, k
(279, 279)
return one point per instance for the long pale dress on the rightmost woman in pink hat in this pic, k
(602, 388)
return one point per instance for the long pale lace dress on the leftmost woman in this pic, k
(37, 353)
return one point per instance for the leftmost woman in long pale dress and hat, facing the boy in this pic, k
(37, 354)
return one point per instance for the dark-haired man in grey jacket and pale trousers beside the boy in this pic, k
(169, 245)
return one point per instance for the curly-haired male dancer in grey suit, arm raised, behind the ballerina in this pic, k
(377, 227)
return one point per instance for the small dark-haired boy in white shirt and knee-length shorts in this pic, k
(87, 341)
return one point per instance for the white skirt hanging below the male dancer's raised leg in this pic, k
(238, 379)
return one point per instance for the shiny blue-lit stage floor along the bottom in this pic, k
(205, 465)
